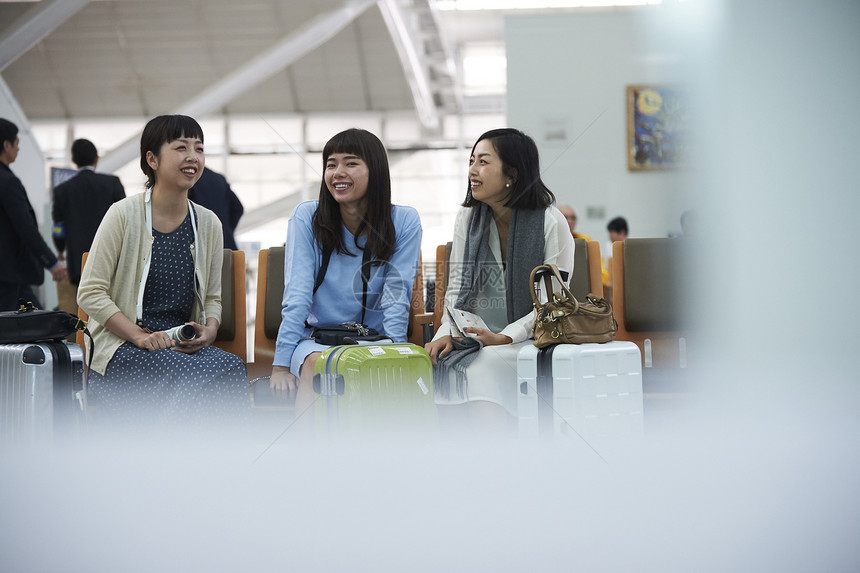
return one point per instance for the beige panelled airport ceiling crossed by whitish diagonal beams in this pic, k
(67, 59)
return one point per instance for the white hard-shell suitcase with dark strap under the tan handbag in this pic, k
(590, 390)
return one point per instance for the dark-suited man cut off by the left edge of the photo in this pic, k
(23, 252)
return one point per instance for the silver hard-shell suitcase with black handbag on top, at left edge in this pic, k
(43, 392)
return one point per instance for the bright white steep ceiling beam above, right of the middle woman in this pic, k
(414, 65)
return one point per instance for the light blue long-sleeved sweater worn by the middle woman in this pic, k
(338, 298)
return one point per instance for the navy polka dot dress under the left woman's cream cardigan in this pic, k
(166, 385)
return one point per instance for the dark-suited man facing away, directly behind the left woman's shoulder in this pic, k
(80, 205)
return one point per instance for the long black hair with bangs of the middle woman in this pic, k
(377, 223)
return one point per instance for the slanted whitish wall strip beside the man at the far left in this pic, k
(30, 168)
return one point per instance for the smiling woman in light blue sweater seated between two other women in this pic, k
(352, 220)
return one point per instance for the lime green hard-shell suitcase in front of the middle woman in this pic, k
(374, 387)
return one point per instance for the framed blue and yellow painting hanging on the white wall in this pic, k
(656, 127)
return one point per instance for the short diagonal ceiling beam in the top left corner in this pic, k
(34, 26)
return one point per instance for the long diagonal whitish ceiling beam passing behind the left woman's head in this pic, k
(280, 56)
